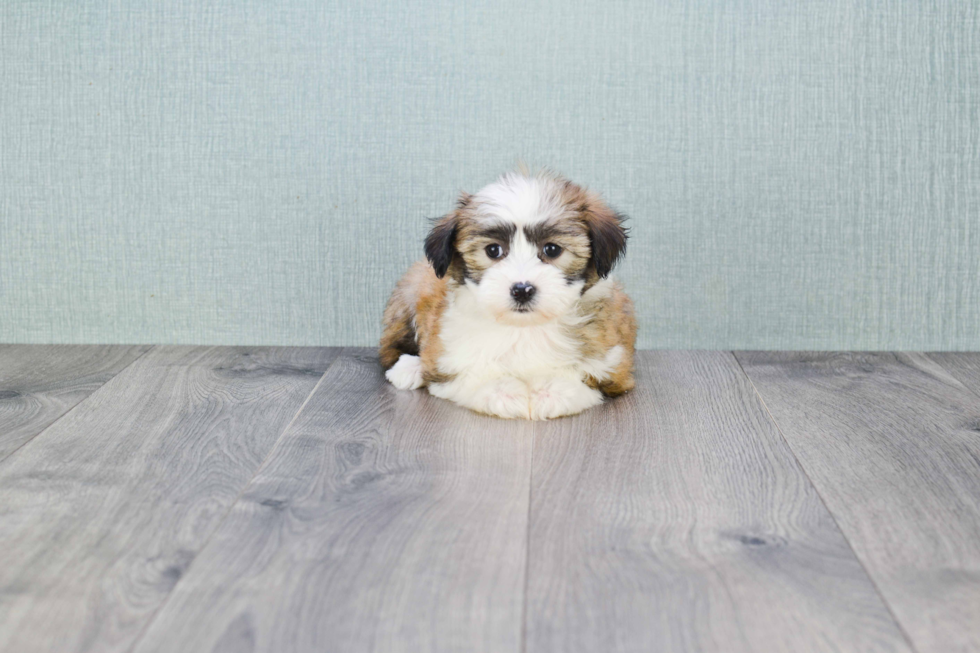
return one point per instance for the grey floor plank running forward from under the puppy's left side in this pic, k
(384, 520)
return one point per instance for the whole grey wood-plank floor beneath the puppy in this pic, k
(282, 499)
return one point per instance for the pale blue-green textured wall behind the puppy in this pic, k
(800, 175)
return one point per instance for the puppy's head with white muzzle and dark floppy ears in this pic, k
(527, 246)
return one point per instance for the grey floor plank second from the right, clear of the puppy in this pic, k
(891, 442)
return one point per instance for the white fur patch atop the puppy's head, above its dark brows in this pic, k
(519, 199)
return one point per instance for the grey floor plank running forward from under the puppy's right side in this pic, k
(677, 519)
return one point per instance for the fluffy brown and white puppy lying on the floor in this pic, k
(513, 314)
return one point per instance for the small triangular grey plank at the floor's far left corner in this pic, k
(40, 383)
